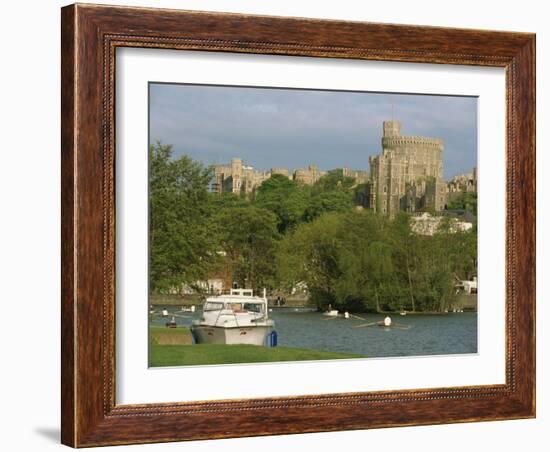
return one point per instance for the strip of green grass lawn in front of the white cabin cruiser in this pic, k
(200, 354)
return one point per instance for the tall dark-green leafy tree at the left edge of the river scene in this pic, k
(182, 240)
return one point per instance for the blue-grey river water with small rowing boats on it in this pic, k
(453, 333)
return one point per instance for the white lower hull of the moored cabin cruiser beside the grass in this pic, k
(253, 335)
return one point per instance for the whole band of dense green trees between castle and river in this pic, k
(288, 235)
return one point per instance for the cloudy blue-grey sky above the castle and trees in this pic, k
(293, 128)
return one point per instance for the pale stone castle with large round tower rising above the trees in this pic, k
(407, 176)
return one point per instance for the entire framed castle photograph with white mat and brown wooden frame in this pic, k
(281, 225)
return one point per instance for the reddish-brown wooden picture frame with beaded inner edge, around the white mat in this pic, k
(90, 36)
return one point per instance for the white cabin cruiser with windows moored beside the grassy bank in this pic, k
(236, 318)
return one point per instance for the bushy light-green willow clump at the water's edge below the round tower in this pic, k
(363, 261)
